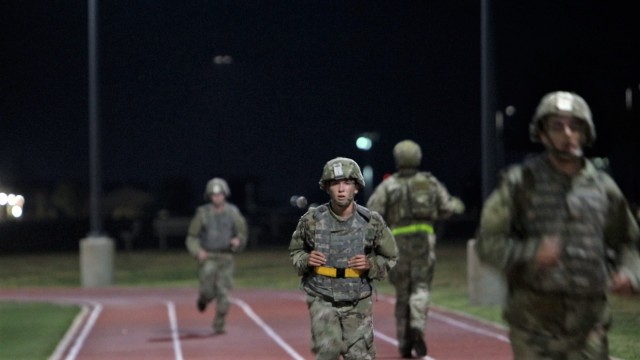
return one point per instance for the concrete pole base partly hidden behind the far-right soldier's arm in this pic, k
(487, 285)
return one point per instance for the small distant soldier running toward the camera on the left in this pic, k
(216, 232)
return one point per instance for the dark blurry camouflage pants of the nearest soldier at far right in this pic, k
(556, 327)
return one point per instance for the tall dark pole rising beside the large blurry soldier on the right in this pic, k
(487, 100)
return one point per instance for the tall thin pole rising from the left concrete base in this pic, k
(94, 146)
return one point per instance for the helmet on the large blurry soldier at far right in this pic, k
(562, 103)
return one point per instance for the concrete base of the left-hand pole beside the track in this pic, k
(96, 261)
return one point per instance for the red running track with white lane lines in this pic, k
(163, 324)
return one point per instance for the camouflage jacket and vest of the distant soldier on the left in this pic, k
(212, 231)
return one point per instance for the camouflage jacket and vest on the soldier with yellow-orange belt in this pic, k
(372, 236)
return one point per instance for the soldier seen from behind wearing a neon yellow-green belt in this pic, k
(411, 201)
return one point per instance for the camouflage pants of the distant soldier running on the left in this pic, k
(216, 281)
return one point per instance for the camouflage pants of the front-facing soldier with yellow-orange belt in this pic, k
(341, 329)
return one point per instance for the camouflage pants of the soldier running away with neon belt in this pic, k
(411, 278)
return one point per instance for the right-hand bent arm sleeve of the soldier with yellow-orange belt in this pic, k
(385, 252)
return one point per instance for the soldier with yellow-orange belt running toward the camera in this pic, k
(338, 249)
